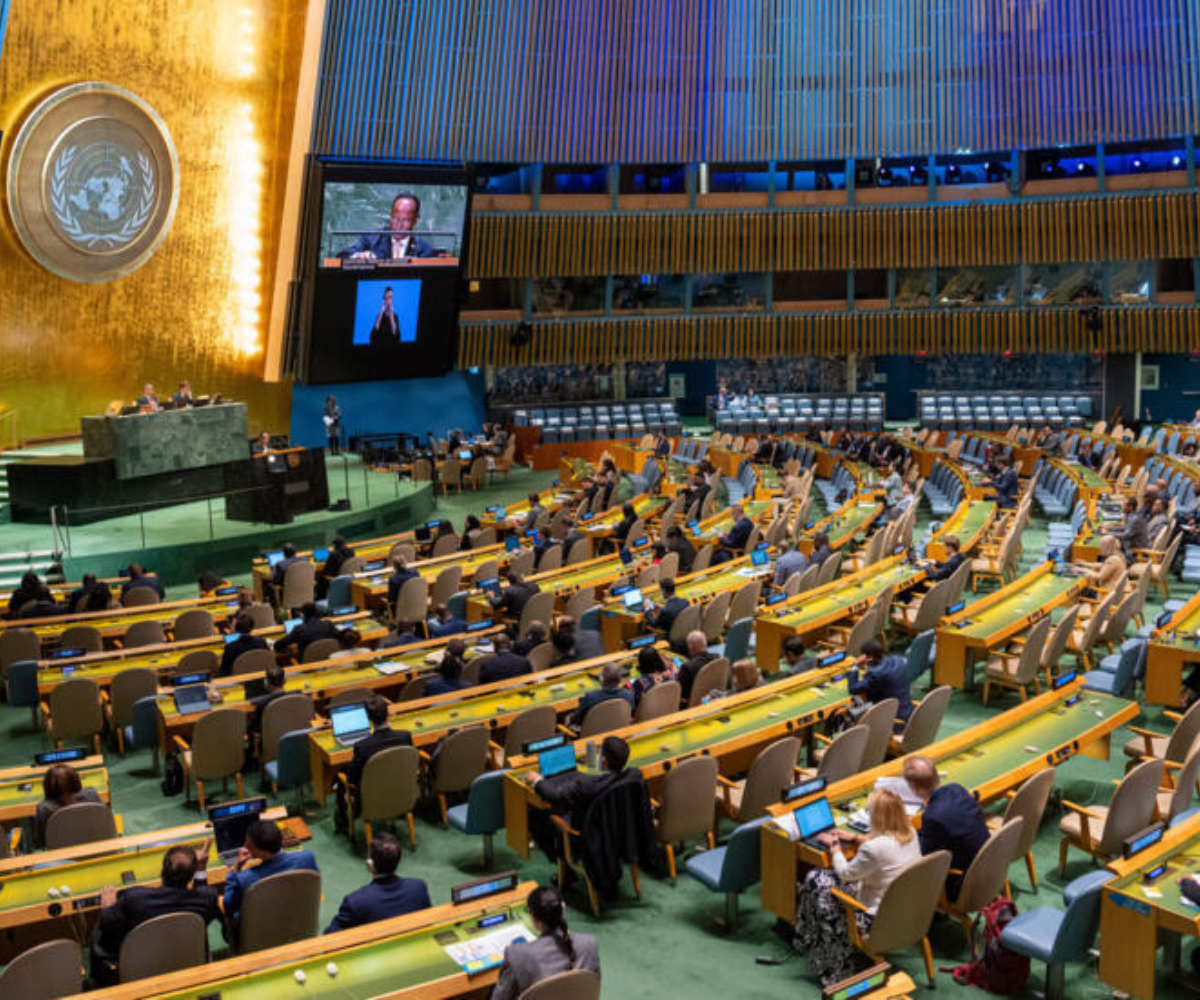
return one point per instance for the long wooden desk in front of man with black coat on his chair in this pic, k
(731, 730)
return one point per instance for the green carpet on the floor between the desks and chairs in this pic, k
(669, 939)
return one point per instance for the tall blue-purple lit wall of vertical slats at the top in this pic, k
(735, 81)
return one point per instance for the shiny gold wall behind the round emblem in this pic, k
(223, 74)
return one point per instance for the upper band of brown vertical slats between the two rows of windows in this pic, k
(1114, 227)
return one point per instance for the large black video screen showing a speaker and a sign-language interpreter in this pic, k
(385, 283)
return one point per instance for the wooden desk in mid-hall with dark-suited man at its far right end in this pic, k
(812, 613)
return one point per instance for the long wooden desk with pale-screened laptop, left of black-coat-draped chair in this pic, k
(494, 705)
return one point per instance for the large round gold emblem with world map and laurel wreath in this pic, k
(93, 183)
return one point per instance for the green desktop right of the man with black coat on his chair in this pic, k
(718, 727)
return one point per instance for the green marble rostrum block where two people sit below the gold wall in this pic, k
(169, 441)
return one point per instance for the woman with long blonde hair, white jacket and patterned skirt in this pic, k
(881, 855)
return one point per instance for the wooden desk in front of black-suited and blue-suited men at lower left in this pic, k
(29, 915)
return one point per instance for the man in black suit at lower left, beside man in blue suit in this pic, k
(184, 890)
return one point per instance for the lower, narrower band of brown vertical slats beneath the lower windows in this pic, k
(1169, 330)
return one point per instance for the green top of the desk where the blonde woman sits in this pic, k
(993, 757)
